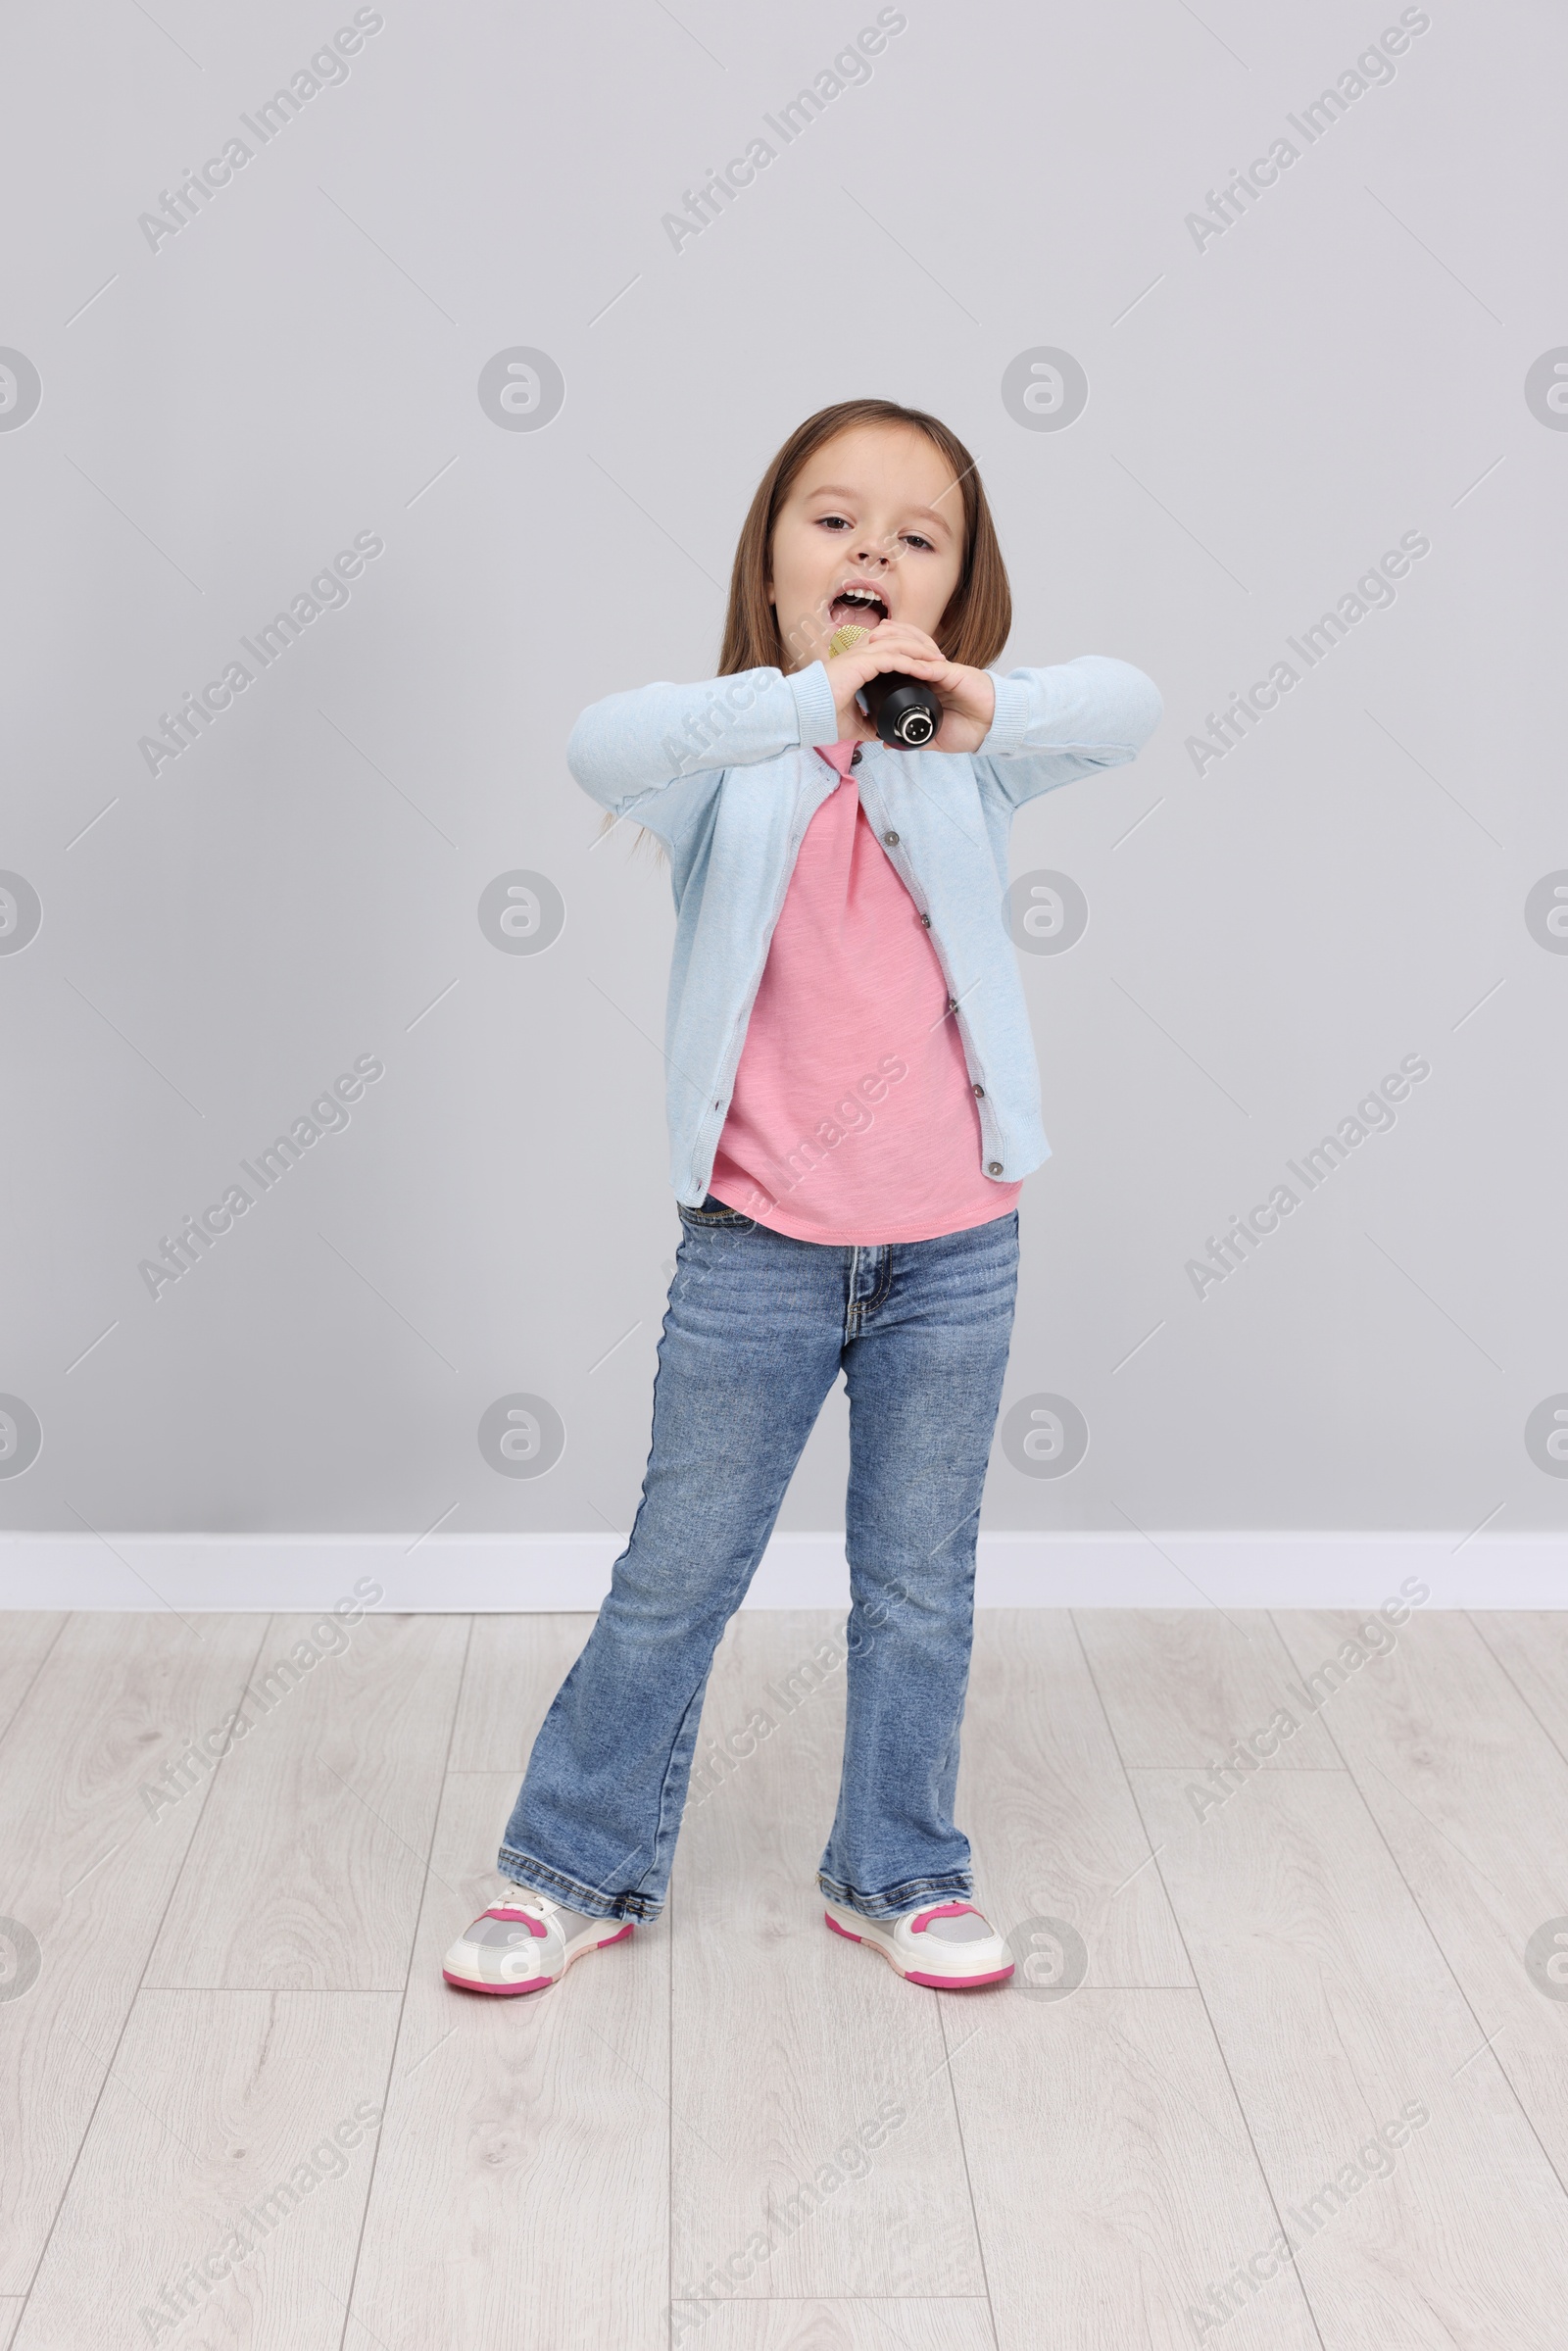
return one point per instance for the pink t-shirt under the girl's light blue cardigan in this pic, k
(855, 1118)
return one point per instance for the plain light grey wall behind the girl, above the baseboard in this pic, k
(1271, 932)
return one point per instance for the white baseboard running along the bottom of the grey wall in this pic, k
(514, 1574)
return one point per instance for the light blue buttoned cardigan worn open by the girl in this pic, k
(728, 777)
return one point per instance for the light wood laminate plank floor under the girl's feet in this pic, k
(1315, 2000)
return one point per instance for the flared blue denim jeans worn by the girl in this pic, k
(753, 1339)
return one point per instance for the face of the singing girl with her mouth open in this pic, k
(871, 530)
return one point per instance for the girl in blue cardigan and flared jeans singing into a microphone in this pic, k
(855, 1106)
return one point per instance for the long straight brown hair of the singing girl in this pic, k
(979, 612)
